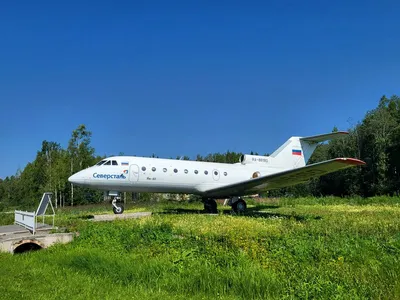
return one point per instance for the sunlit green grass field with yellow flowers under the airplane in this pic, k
(284, 248)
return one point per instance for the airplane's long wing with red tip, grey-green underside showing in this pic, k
(283, 179)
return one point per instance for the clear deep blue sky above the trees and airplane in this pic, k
(189, 77)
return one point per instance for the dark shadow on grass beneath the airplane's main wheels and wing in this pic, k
(254, 212)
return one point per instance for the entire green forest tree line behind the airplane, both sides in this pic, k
(375, 139)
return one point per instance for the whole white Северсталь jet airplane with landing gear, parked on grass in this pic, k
(251, 175)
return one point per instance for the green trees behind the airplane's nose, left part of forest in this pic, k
(50, 171)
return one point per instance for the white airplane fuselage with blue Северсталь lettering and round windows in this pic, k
(142, 174)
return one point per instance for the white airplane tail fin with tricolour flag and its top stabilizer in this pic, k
(296, 151)
